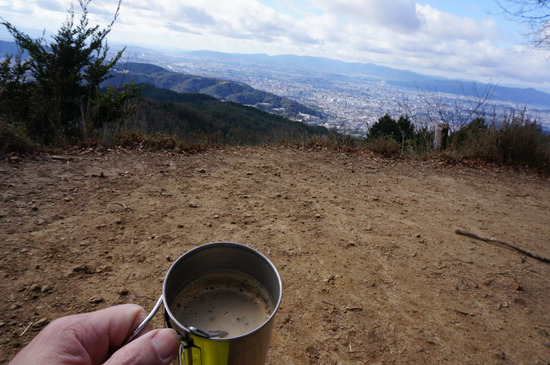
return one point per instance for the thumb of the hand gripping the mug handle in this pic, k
(157, 347)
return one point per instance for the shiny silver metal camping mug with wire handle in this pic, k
(200, 347)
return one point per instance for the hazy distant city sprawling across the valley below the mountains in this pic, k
(353, 103)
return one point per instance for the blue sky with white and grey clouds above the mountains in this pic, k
(460, 39)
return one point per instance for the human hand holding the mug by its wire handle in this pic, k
(97, 337)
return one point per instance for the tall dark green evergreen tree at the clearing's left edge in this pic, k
(63, 100)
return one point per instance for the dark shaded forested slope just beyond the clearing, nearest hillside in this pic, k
(195, 117)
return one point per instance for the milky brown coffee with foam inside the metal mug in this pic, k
(232, 302)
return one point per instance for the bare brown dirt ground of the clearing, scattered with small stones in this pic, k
(372, 269)
